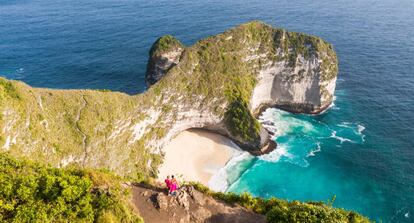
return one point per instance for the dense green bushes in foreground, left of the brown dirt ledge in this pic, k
(32, 192)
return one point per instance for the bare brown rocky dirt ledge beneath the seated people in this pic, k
(189, 205)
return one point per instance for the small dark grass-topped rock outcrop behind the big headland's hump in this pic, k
(164, 54)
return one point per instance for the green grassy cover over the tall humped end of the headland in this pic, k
(222, 66)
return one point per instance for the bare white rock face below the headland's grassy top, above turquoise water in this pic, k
(298, 89)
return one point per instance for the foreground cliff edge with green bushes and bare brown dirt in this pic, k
(32, 192)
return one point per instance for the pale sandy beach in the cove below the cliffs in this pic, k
(196, 155)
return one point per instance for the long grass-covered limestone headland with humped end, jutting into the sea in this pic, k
(219, 83)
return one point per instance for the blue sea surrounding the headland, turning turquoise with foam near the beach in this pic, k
(361, 150)
